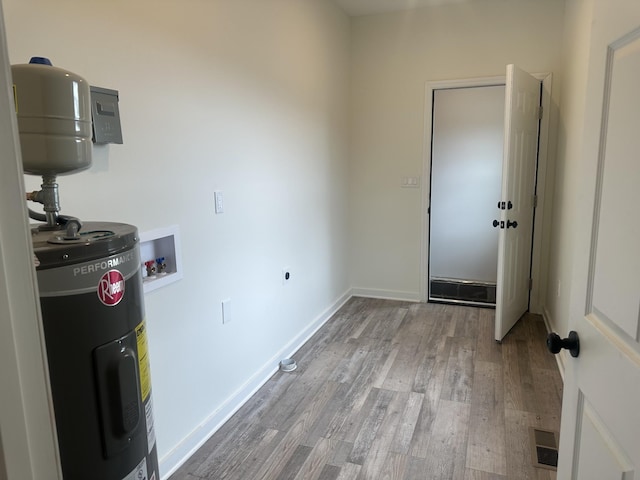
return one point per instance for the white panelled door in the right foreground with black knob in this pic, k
(600, 432)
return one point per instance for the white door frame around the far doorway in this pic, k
(540, 235)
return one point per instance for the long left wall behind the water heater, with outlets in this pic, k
(245, 97)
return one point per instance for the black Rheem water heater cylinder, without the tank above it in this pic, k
(93, 316)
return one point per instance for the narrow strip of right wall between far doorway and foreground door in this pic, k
(569, 173)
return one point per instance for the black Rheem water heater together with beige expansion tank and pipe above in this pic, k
(91, 295)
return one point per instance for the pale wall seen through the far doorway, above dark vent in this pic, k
(466, 179)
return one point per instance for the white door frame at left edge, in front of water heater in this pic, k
(27, 425)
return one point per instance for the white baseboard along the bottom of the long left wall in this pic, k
(173, 460)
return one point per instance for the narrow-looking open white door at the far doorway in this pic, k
(522, 107)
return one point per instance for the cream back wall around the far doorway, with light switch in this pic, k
(393, 55)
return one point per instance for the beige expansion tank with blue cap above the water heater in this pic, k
(53, 107)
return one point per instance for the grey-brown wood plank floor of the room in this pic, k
(395, 390)
